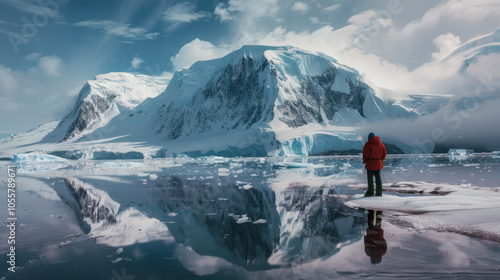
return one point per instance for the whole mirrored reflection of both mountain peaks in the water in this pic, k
(255, 228)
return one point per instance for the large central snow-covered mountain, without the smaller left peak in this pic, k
(258, 100)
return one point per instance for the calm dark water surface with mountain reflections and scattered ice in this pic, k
(217, 218)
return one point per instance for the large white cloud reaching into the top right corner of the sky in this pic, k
(414, 41)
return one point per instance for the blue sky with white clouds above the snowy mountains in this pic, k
(50, 48)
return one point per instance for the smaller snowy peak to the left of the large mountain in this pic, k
(102, 99)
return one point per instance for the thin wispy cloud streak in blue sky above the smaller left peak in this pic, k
(123, 30)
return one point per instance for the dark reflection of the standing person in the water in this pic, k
(375, 244)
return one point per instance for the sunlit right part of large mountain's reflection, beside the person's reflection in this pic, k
(314, 225)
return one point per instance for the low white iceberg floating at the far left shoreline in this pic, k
(36, 162)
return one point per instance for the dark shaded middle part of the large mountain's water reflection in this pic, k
(222, 220)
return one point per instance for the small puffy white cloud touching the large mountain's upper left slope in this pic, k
(197, 50)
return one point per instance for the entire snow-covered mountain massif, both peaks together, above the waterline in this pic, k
(255, 101)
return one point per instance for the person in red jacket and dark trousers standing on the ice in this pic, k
(373, 156)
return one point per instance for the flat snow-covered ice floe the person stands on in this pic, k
(465, 209)
